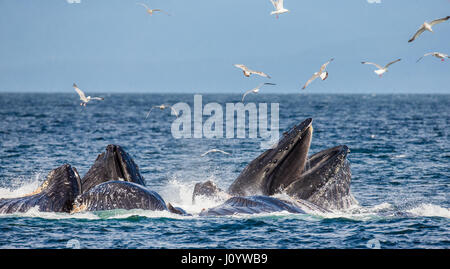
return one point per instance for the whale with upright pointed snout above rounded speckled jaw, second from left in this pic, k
(114, 182)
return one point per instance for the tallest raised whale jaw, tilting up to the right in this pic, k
(273, 169)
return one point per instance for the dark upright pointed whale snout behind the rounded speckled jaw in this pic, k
(113, 164)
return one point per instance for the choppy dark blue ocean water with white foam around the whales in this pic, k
(399, 158)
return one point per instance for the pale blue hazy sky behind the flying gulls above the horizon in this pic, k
(113, 46)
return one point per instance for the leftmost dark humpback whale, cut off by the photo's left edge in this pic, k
(56, 194)
